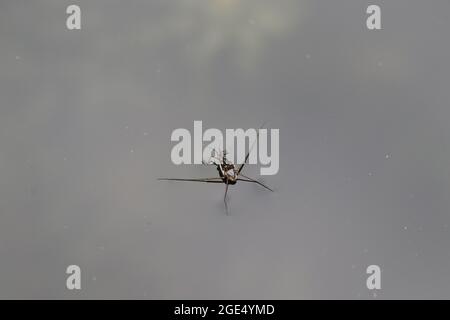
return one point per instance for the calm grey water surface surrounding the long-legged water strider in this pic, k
(85, 123)
